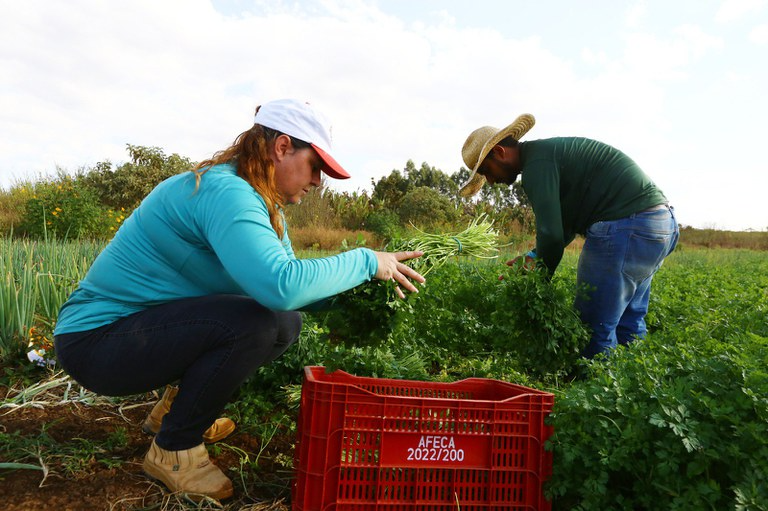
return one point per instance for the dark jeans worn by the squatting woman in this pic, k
(210, 344)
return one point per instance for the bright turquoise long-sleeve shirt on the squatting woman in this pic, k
(182, 243)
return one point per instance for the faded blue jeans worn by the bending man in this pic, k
(615, 270)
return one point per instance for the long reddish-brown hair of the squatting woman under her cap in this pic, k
(250, 155)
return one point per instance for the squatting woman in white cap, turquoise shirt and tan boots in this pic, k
(201, 286)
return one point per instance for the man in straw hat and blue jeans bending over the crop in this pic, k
(582, 186)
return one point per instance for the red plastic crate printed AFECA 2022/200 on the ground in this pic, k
(371, 444)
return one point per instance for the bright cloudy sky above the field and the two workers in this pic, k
(680, 86)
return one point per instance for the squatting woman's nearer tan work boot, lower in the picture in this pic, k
(190, 472)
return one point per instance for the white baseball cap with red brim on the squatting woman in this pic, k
(298, 119)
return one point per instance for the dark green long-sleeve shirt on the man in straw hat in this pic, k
(573, 182)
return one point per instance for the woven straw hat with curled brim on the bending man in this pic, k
(479, 144)
